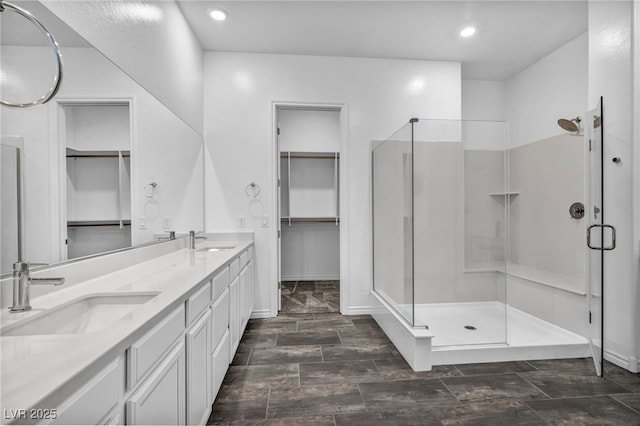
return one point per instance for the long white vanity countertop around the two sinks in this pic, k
(35, 368)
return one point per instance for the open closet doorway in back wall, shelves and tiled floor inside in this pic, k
(309, 163)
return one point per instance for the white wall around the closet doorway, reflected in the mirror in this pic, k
(165, 150)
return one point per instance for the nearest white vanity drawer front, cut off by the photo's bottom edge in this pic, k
(93, 403)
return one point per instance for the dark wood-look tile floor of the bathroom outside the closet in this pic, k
(329, 369)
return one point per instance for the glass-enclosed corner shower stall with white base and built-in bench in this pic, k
(474, 250)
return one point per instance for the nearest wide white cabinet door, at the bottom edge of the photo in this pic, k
(160, 400)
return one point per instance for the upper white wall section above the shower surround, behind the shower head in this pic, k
(552, 88)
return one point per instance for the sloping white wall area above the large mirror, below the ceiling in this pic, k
(150, 41)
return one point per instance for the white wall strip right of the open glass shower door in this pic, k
(610, 76)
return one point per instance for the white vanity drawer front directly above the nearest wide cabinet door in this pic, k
(146, 352)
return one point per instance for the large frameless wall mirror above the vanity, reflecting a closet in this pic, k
(102, 166)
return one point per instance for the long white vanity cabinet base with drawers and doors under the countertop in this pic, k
(173, 372)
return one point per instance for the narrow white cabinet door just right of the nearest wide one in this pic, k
(199, 370)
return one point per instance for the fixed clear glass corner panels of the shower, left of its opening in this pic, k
(429, 245)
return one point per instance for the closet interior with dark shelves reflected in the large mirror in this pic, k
(97, 141)
